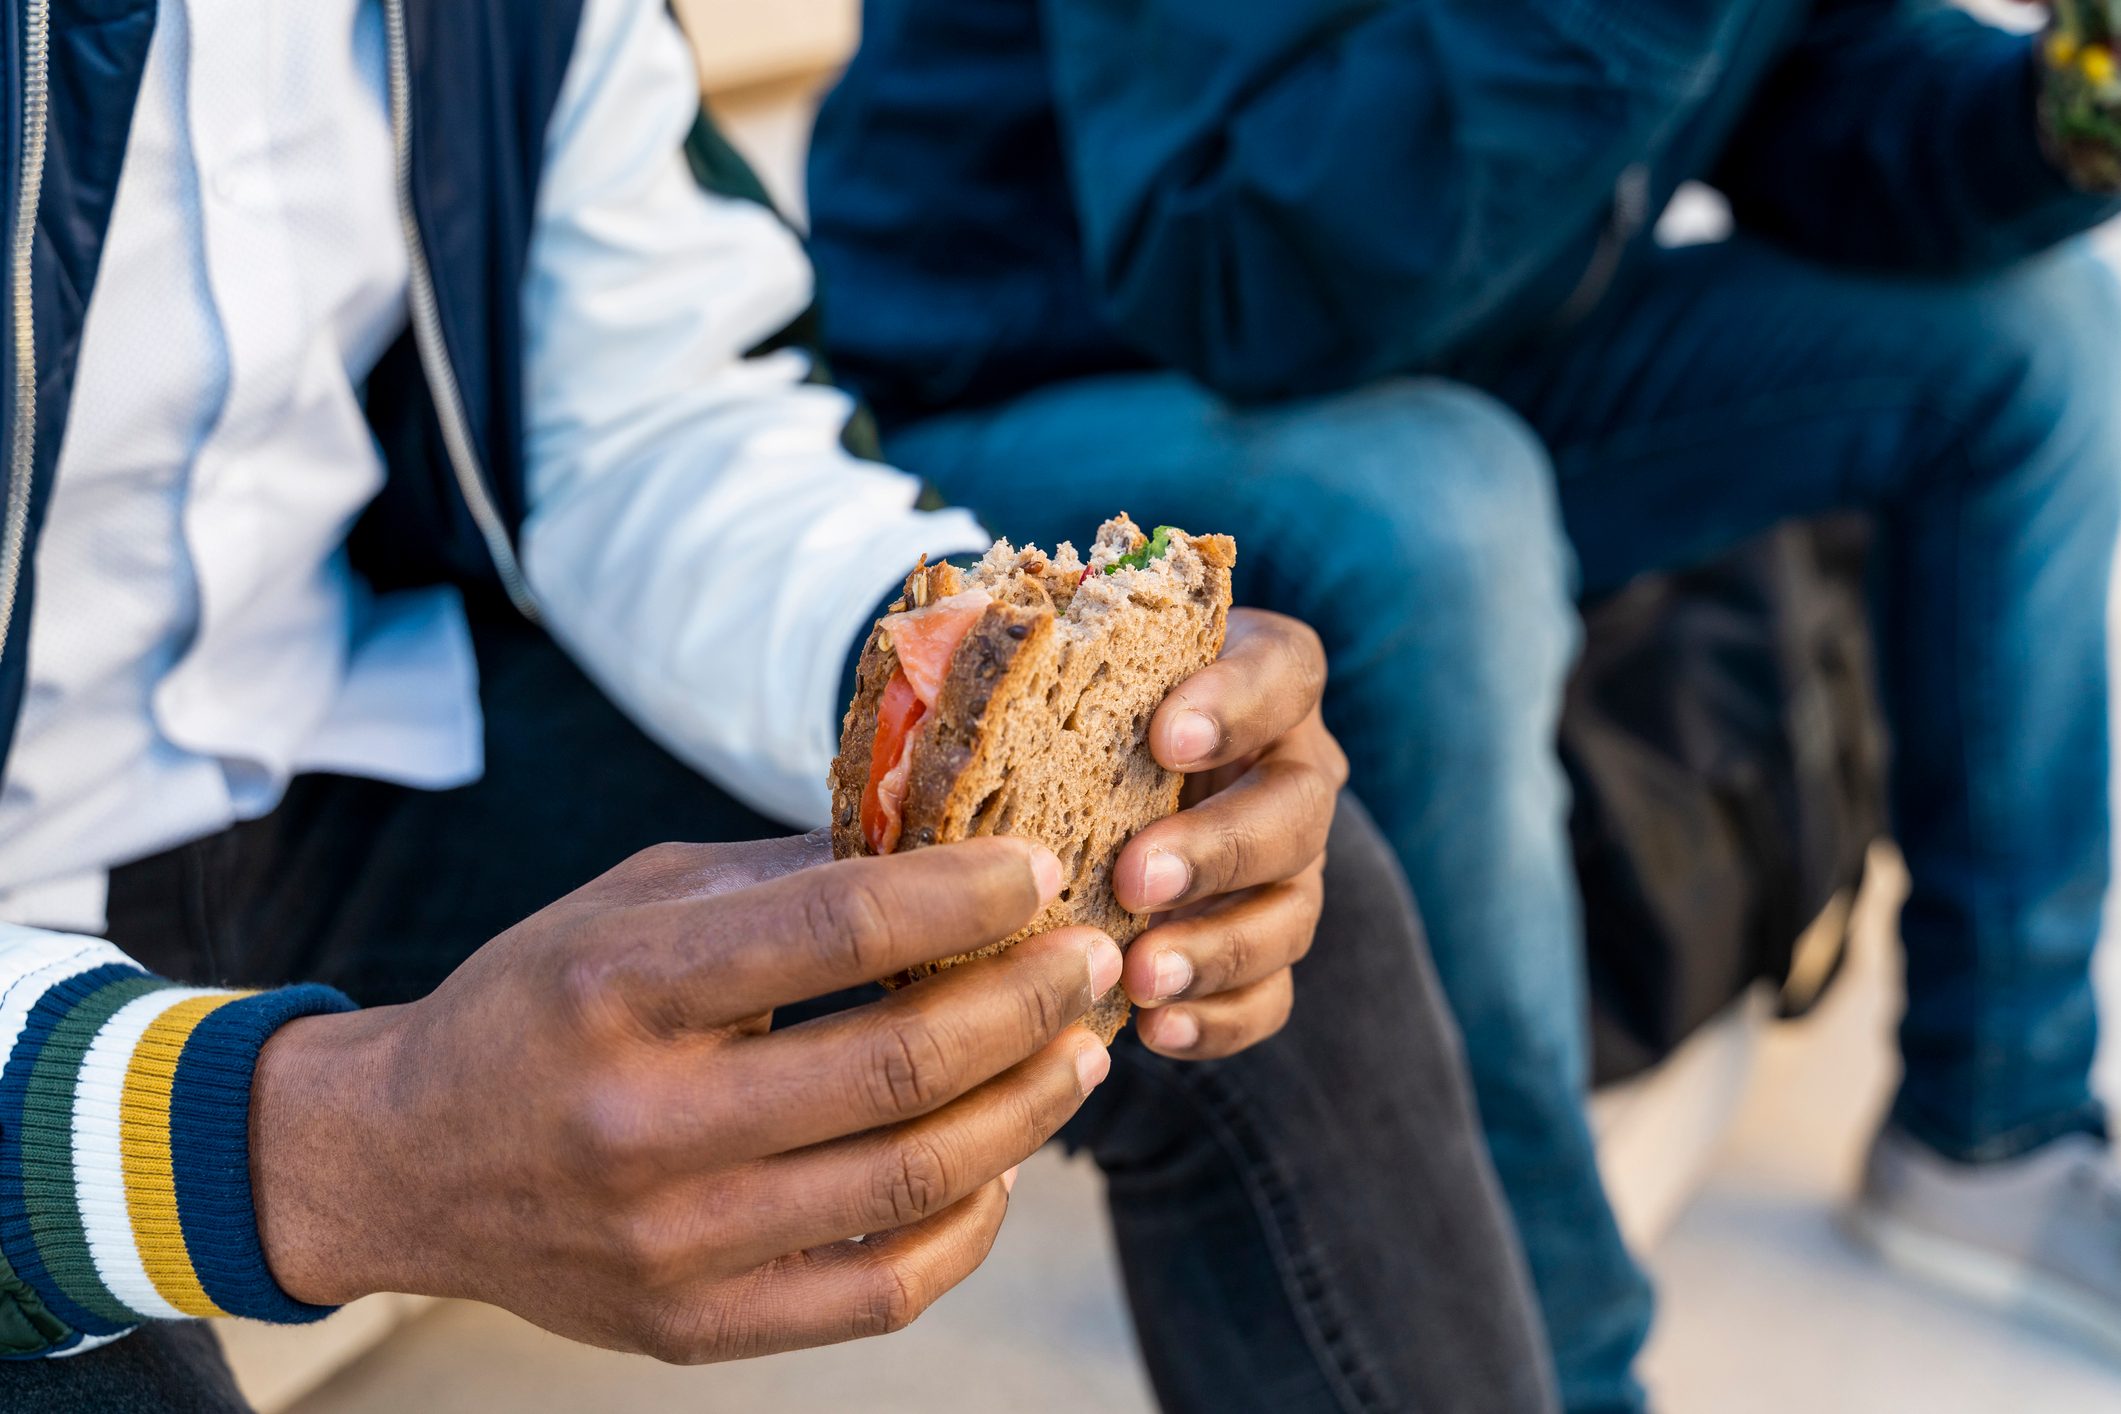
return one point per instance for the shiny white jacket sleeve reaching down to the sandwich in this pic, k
(697, 535)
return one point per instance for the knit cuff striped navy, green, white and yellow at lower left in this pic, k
(126, 1150)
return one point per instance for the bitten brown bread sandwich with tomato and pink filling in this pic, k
(1015, 699)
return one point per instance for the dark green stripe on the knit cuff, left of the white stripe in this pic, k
(48, 1150)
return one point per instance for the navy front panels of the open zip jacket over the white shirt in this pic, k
(483, 82)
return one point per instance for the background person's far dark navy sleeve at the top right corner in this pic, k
(1901, 135)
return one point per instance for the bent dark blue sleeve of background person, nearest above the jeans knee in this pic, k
(1293, 196)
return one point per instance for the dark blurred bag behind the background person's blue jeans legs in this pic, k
(1728, 756)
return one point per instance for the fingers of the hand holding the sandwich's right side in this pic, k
(1240, 872)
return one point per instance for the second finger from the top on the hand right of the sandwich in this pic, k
(1259, 832)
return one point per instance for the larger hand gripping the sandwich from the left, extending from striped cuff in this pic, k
(593, 1127)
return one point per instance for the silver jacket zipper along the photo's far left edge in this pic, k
(22, 306)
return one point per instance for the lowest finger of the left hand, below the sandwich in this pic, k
(832, 1294)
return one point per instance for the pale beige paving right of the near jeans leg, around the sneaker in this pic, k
(1768, 1309)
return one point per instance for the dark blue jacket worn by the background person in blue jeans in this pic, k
(1299, 196)
